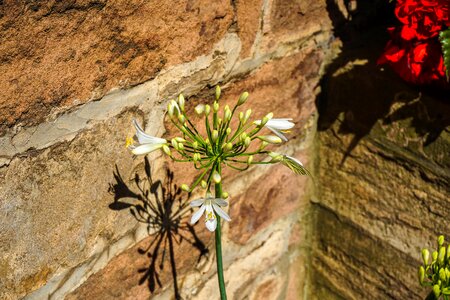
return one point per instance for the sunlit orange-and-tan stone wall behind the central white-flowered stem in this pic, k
(74, 75)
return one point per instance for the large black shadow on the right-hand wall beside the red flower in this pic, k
(359, 96)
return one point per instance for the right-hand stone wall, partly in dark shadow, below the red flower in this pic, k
(383, 167)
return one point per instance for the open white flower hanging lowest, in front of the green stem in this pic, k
(211, 207)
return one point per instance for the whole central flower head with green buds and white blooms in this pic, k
(219, 145)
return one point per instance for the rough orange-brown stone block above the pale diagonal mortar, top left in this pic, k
(79, 50)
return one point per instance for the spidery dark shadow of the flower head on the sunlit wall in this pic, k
(160, 206)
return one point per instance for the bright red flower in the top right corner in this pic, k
(422, 19)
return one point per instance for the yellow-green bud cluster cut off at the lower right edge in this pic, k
(436, 272)
